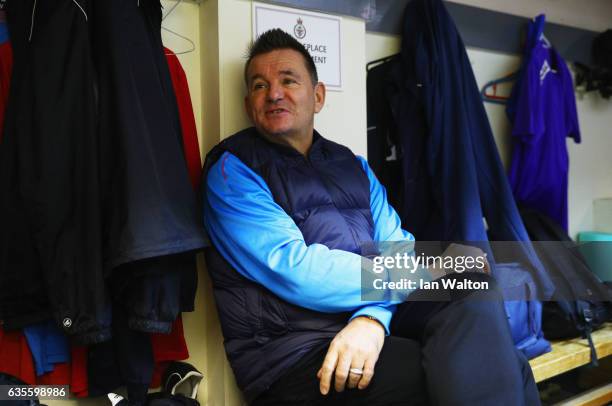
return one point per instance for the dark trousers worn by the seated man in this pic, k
(456, 351)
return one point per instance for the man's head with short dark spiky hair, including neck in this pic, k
(283, 93)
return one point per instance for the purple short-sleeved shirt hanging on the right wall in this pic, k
(545, 115)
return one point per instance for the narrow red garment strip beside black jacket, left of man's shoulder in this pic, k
(190, 135)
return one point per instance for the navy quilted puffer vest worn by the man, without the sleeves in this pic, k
(327, 194)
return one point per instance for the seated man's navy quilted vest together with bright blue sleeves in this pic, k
(287, 232)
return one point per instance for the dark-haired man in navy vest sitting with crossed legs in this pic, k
(288, 213)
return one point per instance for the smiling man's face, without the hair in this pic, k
(281, 99)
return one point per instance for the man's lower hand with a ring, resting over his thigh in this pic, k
(356, 346)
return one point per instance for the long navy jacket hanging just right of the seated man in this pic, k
(453, 176)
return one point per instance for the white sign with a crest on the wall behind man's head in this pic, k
(319, 33)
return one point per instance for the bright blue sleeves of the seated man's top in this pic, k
(261, 241)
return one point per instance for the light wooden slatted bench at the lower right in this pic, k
(569, 354)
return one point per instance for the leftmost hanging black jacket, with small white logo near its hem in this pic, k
(49, 178)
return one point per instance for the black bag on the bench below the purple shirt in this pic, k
(581, 303)
